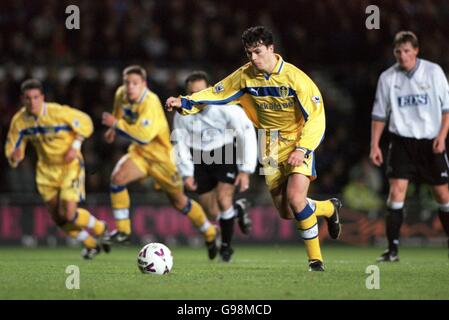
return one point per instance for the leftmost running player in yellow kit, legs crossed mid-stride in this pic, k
(56, 132)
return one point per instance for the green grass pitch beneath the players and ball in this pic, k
(256, 272)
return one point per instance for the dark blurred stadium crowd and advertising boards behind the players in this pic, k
(171, 38)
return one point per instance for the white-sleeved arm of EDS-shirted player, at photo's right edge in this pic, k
(441, 84)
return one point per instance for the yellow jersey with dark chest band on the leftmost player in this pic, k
(51, 133)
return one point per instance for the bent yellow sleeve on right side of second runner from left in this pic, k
(147, 125)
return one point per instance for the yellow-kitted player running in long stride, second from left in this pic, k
(139, 116)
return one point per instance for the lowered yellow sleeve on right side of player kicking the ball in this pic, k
(312, 109)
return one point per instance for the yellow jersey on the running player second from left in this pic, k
(145, 124)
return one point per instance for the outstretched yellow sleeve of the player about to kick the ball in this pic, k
(224, 92)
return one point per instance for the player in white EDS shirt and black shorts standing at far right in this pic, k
(413, 95)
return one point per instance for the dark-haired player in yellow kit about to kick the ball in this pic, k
(284, 101)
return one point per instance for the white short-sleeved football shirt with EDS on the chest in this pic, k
(413, 101)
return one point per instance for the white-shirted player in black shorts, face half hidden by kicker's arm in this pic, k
(208, 132)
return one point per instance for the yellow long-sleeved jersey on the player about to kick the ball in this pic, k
(286, 100)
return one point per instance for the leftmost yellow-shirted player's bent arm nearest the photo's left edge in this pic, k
(15, 144)
